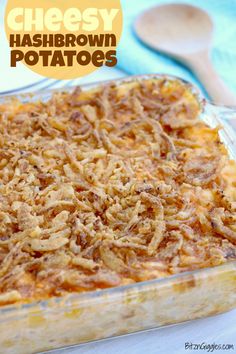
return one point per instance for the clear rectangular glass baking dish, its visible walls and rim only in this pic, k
(82, 317)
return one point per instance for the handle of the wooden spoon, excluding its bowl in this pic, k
(218, 91)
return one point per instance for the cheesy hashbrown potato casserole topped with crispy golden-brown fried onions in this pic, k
(108, 187)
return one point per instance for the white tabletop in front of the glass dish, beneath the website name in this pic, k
(170, 340)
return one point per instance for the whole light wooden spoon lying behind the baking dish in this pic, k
(185, 32)
